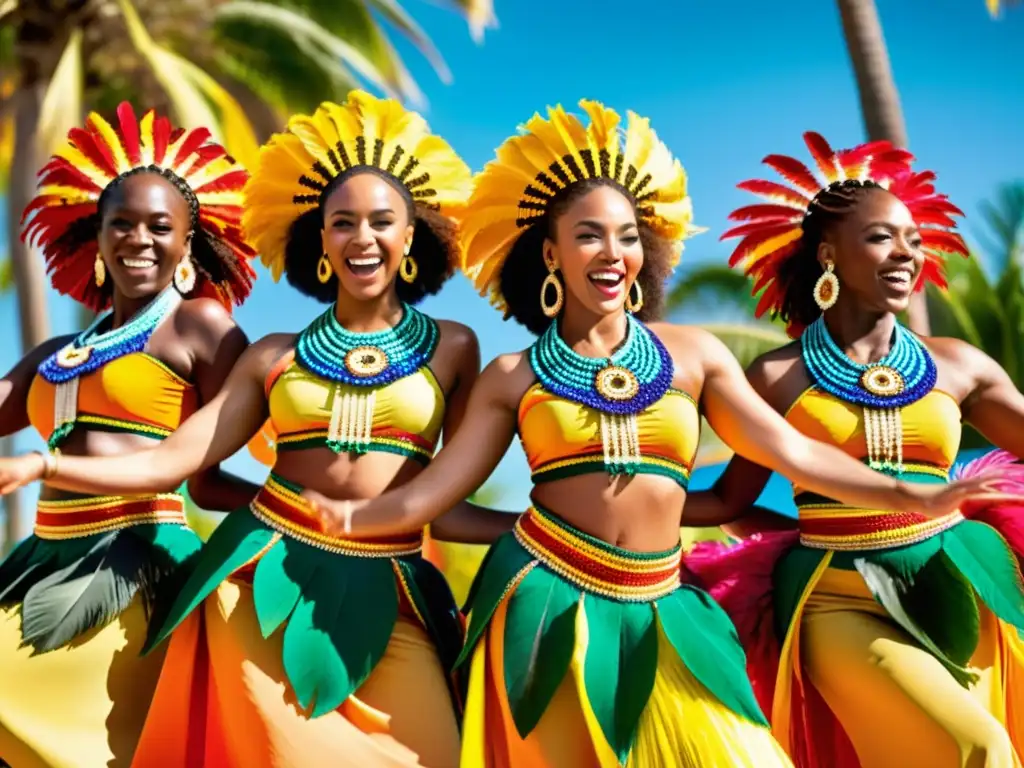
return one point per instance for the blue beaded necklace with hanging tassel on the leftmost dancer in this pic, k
(92, 351)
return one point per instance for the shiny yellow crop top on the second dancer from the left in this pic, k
(408, 414)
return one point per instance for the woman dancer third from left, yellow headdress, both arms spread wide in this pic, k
(586, 649)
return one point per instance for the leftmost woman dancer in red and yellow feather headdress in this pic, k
(145, 221)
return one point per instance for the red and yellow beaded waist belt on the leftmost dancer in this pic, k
(74, 519)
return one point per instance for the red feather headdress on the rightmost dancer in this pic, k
(772, 231)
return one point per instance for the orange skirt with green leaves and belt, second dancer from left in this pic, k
(312, 651)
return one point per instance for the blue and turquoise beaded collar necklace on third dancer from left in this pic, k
(636, 376)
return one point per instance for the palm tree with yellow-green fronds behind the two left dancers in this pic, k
(237, 66)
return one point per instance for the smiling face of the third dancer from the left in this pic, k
(596, 245)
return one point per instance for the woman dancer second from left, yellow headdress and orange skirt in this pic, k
(321, 651)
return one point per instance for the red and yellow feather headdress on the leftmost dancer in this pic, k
(73, 181)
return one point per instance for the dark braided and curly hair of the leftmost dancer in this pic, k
(210, 253)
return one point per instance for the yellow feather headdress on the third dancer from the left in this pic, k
(515, 191)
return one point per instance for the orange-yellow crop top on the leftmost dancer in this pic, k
(136, 394)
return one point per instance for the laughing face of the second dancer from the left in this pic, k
(366, 232)
